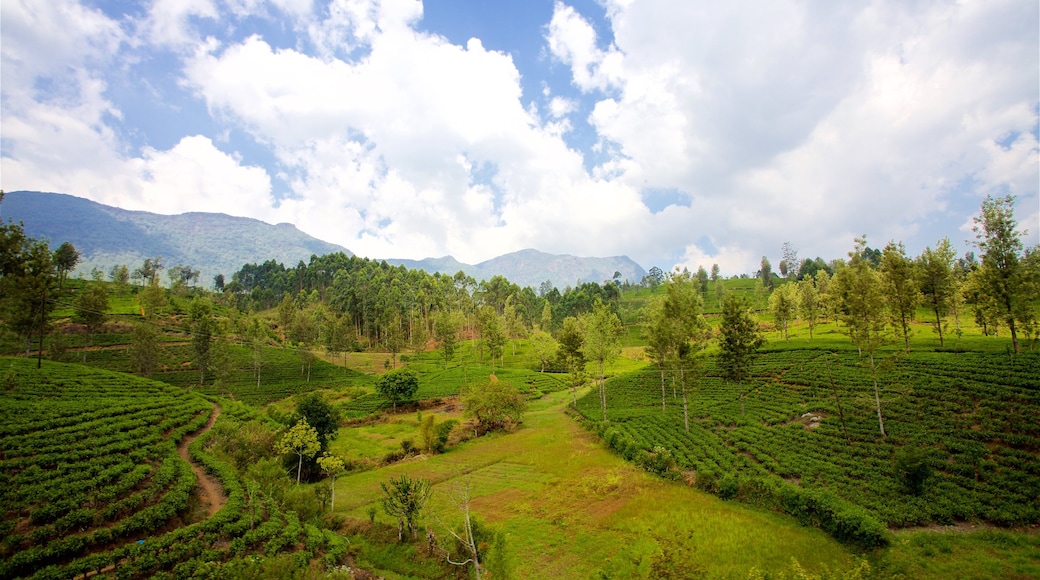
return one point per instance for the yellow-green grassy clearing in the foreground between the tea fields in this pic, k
(571, 509)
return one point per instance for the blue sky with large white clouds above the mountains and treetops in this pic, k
(677, 133)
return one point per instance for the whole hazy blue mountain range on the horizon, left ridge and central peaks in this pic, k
(219, 244)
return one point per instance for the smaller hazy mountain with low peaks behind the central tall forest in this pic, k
(531, 268)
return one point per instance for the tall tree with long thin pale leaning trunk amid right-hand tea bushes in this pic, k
(864, 312)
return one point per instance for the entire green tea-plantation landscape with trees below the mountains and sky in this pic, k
(865, 417)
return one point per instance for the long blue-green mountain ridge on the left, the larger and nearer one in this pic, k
(211, 243)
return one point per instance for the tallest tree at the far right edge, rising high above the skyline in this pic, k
(1001, 274)
